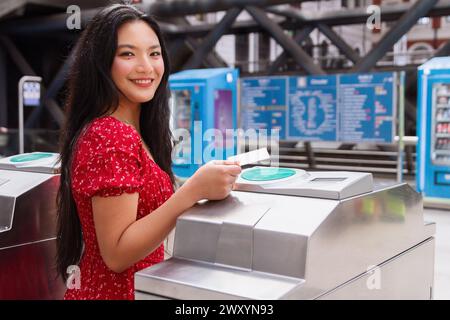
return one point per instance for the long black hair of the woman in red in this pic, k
(92, 94)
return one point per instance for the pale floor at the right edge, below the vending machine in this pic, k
(442, 253)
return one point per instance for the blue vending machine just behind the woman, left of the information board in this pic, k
(203, 106)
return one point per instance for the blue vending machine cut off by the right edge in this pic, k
(433, 129)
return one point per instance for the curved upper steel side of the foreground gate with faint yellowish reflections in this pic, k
(365, 231)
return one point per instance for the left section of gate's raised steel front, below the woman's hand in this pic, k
(223, 229)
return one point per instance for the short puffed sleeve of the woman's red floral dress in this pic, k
(107, 166)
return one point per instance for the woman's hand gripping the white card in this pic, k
(213, 181)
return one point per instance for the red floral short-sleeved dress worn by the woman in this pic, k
(109, 160)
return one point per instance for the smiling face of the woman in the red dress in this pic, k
(138, 65)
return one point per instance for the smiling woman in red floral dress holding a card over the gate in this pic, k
(116, 203)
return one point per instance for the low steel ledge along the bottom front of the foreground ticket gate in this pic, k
(198, 280)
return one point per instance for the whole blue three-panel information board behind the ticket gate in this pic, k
(345, 107)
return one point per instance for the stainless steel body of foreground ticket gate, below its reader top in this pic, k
(266, 246)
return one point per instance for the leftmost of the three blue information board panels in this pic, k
(264, 103)
